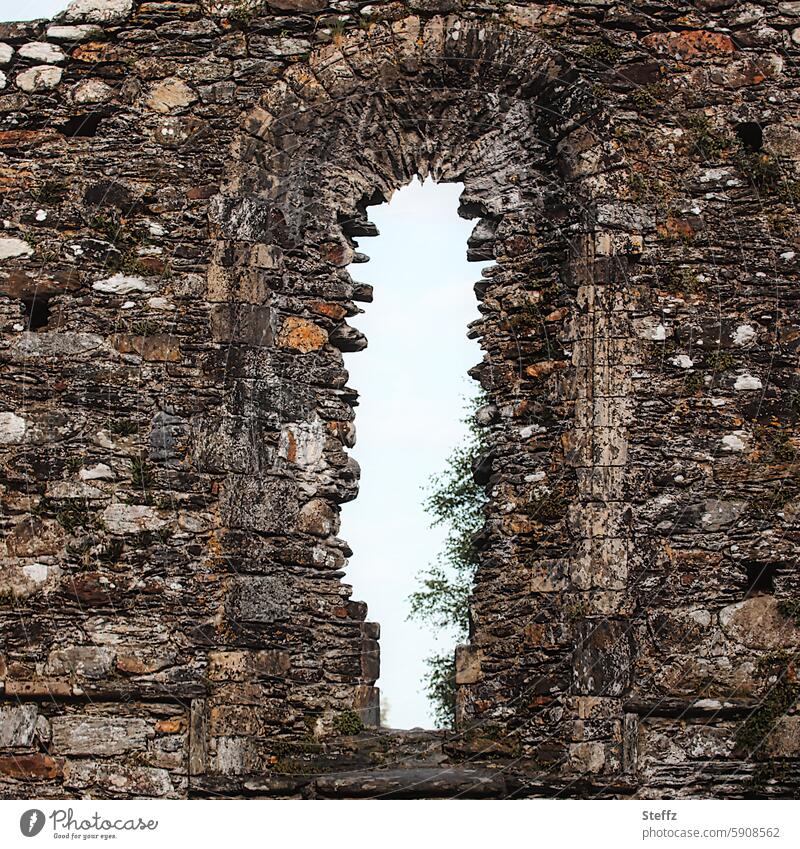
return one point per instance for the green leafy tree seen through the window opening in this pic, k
(455, 502)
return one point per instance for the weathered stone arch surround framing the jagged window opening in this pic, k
(510, 117)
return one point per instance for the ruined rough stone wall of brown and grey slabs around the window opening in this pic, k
(182, 185)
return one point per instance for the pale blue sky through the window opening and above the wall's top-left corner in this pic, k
(412, 381)
